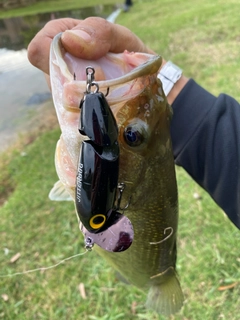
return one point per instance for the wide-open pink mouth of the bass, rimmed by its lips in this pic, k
(119, 70)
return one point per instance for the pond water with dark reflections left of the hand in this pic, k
(23, 89)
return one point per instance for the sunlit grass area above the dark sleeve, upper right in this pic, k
(201, 37)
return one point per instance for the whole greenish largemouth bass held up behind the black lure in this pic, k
(146, 163)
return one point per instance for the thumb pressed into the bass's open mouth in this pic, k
(92, 38)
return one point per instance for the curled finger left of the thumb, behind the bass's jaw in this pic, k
(39, 47)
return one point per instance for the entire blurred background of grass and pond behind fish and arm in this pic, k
(200, 36)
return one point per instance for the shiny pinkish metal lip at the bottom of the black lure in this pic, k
(116, 238)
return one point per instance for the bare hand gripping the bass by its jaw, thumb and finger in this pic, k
(89, 39)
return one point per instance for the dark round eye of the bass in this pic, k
(135, 134)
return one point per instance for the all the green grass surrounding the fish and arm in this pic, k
(203, 38)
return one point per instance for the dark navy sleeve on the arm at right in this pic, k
(206, 143)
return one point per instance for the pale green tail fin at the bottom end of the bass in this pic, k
(165, 296)
